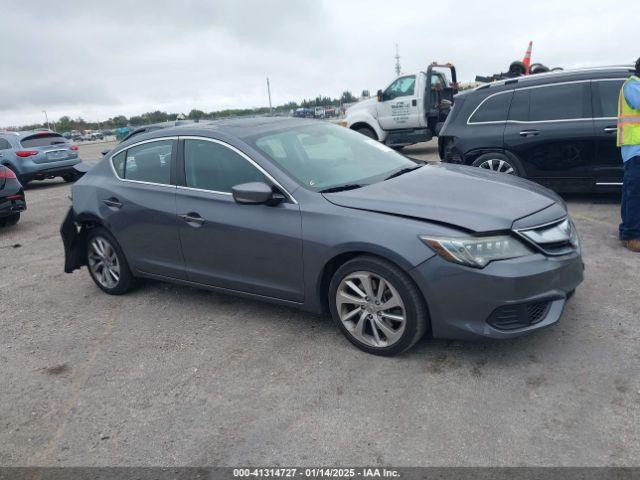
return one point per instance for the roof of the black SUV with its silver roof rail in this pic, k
(557, 76)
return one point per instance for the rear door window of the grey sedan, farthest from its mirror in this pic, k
(149, 162)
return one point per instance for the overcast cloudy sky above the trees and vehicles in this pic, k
(100, 59)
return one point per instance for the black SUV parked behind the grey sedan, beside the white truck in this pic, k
(557, 128)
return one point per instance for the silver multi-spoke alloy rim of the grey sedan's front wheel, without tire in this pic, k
(371, 309)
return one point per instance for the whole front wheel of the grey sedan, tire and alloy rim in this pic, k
(377, 306)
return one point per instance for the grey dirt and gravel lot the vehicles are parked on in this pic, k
(170, 375)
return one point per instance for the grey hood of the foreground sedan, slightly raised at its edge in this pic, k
(467, 197)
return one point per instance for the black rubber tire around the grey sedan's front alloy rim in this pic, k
(415, 309)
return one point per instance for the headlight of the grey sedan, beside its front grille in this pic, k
(476, 251)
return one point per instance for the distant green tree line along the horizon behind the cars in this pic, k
(67, 123)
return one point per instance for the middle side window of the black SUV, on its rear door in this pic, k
(565, 101)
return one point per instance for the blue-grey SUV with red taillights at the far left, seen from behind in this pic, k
(38, 155)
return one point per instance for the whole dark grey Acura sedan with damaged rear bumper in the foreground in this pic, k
(317, 216)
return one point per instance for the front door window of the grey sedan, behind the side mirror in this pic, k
(216, 167)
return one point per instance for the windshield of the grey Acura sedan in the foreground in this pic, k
(325, 156)
